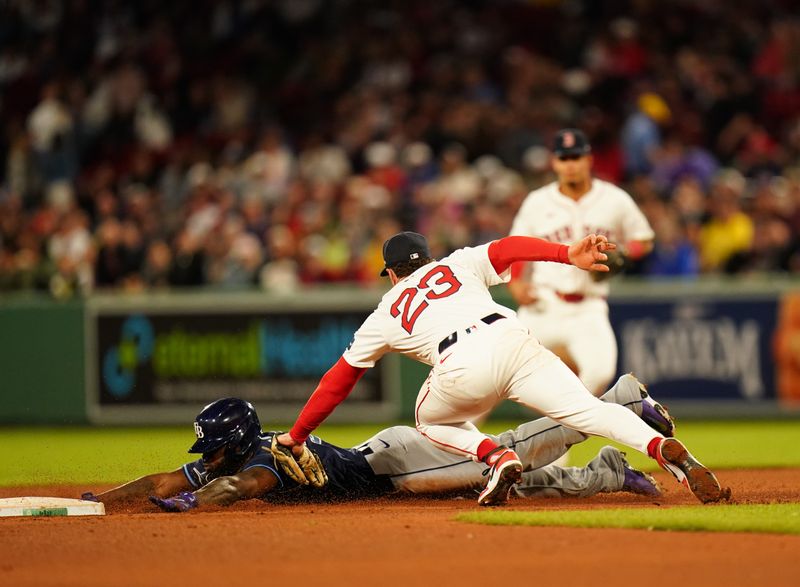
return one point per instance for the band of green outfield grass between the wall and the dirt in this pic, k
(111, 455)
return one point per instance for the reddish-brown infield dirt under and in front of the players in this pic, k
(393, 541)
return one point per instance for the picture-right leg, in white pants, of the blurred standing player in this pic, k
(592, 345)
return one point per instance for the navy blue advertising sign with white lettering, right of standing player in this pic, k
(699, 349)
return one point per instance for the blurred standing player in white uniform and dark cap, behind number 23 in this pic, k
(564, 307)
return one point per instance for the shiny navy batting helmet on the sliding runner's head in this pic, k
(232, 423)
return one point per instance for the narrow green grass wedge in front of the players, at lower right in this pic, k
(773, 518)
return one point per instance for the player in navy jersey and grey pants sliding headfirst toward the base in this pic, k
(238, 463)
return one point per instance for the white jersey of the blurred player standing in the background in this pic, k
(605, 210)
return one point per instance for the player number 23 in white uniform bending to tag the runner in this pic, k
(441, 313)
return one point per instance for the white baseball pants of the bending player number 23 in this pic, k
(501, 361)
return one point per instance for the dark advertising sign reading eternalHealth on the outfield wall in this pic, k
(170, 363)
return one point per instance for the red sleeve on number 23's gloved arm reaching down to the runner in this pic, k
(334, 386)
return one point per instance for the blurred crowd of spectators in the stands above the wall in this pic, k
(274, 143)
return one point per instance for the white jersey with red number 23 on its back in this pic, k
(427, 306)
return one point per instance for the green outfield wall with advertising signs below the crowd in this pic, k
(709, 349)
